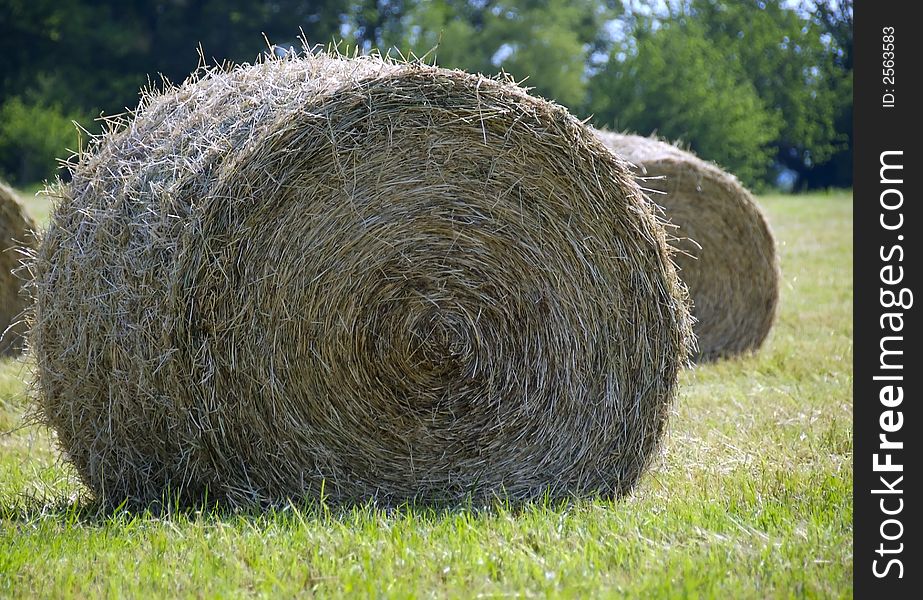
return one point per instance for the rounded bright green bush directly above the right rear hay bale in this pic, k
(678, 85)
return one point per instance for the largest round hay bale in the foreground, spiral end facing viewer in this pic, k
(378, 280)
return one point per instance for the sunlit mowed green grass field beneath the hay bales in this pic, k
(752, 496)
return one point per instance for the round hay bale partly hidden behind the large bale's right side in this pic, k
(725, 248)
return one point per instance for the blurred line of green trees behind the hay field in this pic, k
(762, 87)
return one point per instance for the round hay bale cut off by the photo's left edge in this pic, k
(16, 232)
